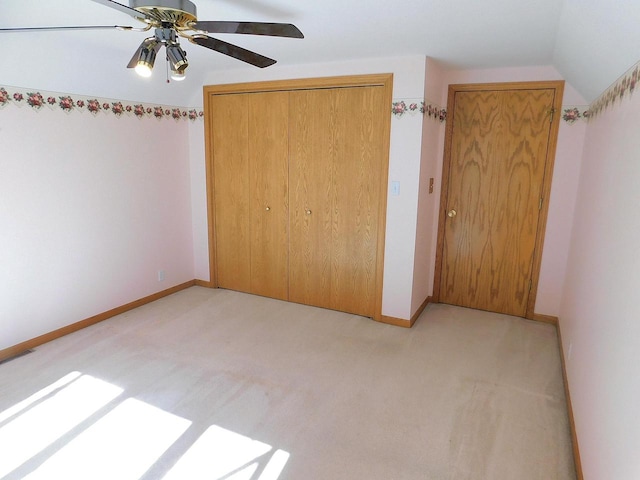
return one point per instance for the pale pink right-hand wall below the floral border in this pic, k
(600, 313)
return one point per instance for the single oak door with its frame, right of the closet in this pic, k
(500, 154)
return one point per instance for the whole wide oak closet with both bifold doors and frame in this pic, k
(297, 175)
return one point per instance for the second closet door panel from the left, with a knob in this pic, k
(268, 170)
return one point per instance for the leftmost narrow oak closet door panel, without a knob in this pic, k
(230, 135)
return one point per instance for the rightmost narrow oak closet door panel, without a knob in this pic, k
(357, 162)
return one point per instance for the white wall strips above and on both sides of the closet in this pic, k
(404, 167)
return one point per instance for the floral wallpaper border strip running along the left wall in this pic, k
(68, 103)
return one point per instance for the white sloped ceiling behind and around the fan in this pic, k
(590, 42)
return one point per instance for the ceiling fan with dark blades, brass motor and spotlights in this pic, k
(171, 19)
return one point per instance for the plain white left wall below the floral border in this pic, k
(91, 207)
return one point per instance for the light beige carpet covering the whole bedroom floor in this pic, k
(222, 385)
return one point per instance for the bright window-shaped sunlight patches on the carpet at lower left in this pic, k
(77, 428)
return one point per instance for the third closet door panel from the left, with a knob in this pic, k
(311, 129)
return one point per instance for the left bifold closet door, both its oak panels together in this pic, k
(250, 185)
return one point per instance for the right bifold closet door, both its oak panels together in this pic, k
(338, 148)
